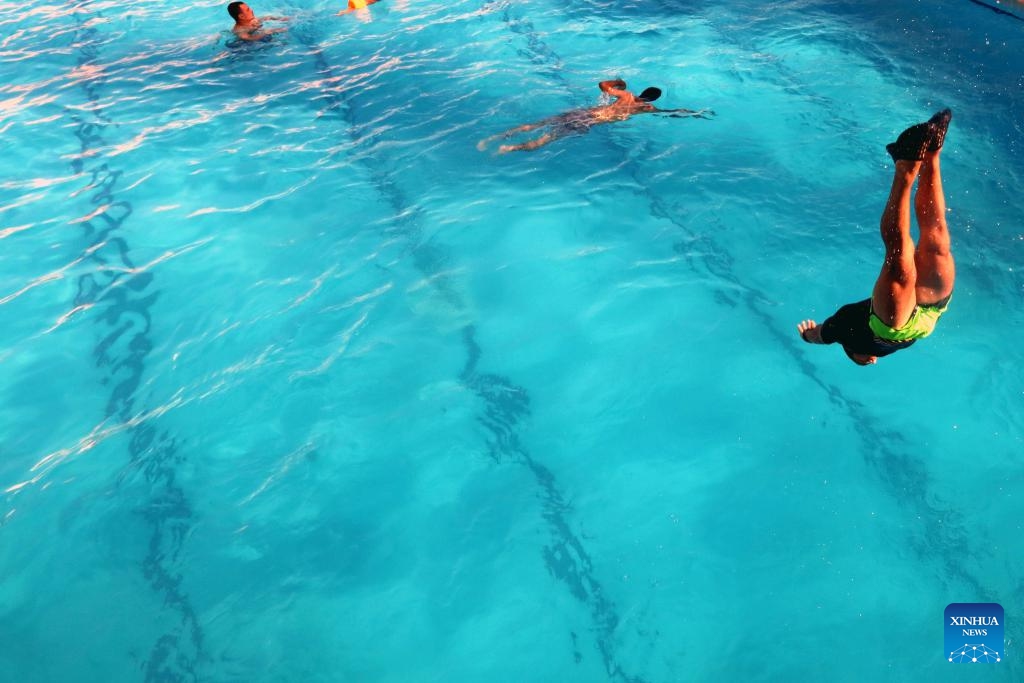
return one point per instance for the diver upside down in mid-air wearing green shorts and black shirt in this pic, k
(917, 283)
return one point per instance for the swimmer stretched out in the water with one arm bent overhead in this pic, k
(581, 121)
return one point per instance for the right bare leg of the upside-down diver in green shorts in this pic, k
(934, 261)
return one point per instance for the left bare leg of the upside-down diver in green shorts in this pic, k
(894, 296)
